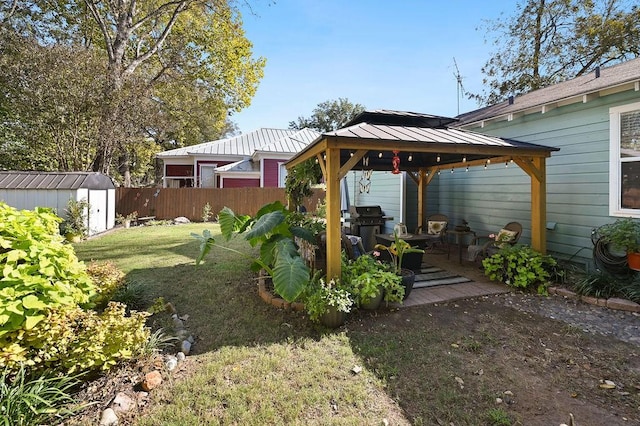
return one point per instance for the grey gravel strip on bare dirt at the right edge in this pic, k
(622, 325)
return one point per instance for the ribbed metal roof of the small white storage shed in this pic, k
(54, 180)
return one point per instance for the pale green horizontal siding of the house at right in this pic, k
(577, 177)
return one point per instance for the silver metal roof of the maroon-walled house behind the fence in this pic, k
(243, 145)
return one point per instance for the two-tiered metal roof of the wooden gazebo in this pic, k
(425, 138)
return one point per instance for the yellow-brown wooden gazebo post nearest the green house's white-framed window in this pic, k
(539, 206)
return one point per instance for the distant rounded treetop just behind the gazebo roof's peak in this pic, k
(329, 115)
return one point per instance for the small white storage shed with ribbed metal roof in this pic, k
(27, 190)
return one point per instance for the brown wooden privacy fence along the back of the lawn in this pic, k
(169, 203)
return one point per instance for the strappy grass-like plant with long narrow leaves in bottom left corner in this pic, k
(39, 401)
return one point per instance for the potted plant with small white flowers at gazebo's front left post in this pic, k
(328, 302)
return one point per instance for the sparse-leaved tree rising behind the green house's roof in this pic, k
(547, 41)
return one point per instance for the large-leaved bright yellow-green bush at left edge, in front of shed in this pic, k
(39, 271)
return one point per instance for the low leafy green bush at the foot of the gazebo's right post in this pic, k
(521, 267)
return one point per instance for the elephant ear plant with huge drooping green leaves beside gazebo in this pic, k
(271, 230)
